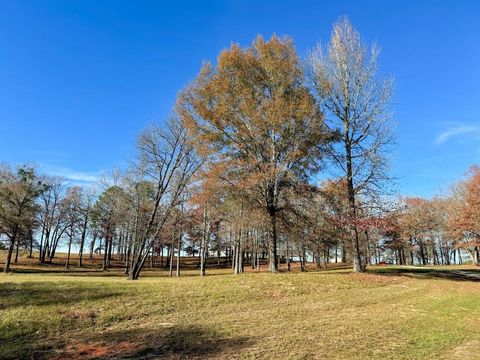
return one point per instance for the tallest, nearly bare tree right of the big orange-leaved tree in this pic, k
(355, 103)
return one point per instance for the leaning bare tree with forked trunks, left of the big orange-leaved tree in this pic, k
(167, 162)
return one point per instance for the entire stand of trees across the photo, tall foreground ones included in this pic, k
(235, 172)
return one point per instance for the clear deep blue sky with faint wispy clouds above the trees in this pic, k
(80, 79)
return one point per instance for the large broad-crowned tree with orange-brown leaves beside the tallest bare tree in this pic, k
(254, 111)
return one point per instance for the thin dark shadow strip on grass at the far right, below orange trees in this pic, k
(430, 273)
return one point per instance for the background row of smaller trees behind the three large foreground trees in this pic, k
(39, 213)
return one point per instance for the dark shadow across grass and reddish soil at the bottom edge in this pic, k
(166, 341)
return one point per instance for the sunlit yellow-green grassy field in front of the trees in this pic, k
(389, 313)
